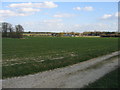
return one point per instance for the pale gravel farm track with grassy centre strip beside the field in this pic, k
(74, 76)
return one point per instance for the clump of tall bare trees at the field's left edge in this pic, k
(11, 32)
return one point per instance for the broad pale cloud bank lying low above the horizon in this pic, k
(56, 25)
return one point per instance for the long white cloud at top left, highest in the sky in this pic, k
(37, 5)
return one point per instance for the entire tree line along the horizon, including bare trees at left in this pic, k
(17, 32)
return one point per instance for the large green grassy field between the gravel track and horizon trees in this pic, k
(35, 54)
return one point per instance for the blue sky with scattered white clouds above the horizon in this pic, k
(51, 16)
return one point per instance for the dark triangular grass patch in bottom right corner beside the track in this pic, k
(110, 80)
